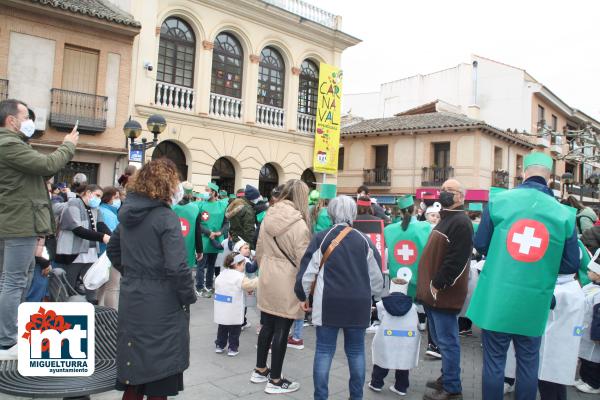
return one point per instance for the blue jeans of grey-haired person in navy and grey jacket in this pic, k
(354, 347)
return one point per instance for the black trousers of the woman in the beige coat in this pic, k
(274, 333)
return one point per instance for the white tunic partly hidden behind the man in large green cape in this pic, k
(560, 343)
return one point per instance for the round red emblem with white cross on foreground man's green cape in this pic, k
(527, 240)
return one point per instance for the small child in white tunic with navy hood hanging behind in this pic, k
(397, 341)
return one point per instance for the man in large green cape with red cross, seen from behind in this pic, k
(529, 238)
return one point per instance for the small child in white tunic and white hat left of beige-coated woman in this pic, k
(230, 286)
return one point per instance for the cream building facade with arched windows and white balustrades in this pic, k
(237, 83)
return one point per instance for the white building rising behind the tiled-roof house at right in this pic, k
(505, 97)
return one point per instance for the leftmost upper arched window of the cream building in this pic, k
(176, 53)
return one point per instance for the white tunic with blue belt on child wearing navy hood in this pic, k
(397, 341)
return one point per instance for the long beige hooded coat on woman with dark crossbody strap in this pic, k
(277, 275)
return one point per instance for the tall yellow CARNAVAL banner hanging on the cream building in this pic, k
(327, 135)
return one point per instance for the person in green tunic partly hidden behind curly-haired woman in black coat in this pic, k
(187, 211)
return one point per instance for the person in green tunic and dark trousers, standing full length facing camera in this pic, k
(214, 227)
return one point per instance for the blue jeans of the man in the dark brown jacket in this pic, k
(443, 327)
